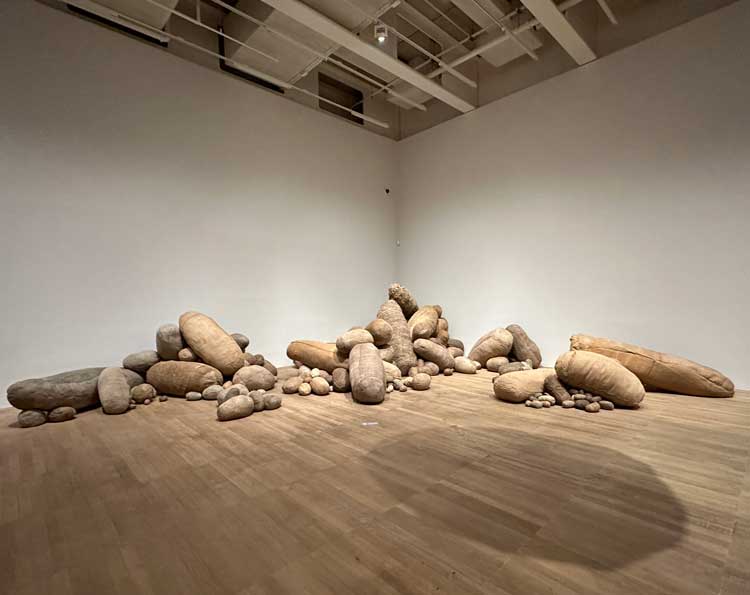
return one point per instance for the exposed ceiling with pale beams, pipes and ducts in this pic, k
(422, 60)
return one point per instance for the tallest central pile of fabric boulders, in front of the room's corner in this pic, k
(401, 349)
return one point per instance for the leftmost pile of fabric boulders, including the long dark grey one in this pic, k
(195, 360)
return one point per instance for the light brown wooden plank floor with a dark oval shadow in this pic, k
(451, 491)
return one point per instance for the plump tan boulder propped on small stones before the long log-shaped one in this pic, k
(600, 375)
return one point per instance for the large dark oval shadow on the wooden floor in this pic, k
(484, 492)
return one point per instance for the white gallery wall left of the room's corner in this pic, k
(135, 185)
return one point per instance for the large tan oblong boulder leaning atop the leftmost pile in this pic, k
(211, 343)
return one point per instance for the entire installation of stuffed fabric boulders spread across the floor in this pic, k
(402, 348)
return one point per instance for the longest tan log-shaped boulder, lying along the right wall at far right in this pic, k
(660, 371)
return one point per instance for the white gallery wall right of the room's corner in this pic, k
(613, 200)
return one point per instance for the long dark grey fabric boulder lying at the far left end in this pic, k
(76, 389)
